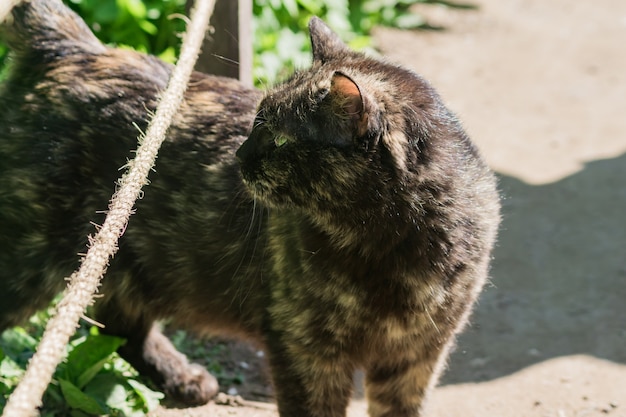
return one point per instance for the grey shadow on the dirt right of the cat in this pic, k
(558, 282)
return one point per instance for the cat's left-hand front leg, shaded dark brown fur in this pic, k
(308, 383)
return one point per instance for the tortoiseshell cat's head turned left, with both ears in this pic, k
(343, 135)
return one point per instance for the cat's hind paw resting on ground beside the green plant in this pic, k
(196, 386)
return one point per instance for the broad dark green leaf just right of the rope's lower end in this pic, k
(87, 358)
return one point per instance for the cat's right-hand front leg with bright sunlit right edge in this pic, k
(397, 385)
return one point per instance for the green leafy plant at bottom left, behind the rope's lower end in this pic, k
(93, 380)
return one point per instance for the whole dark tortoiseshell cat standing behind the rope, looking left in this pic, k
(342, 220)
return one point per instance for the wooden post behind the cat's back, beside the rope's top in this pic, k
(227, 47)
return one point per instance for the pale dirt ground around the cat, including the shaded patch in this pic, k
(541, 87)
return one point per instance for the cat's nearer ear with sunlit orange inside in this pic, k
(349, 101)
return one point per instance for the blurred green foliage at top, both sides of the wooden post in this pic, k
(280, 41)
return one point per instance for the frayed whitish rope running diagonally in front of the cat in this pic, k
(85, 282)
